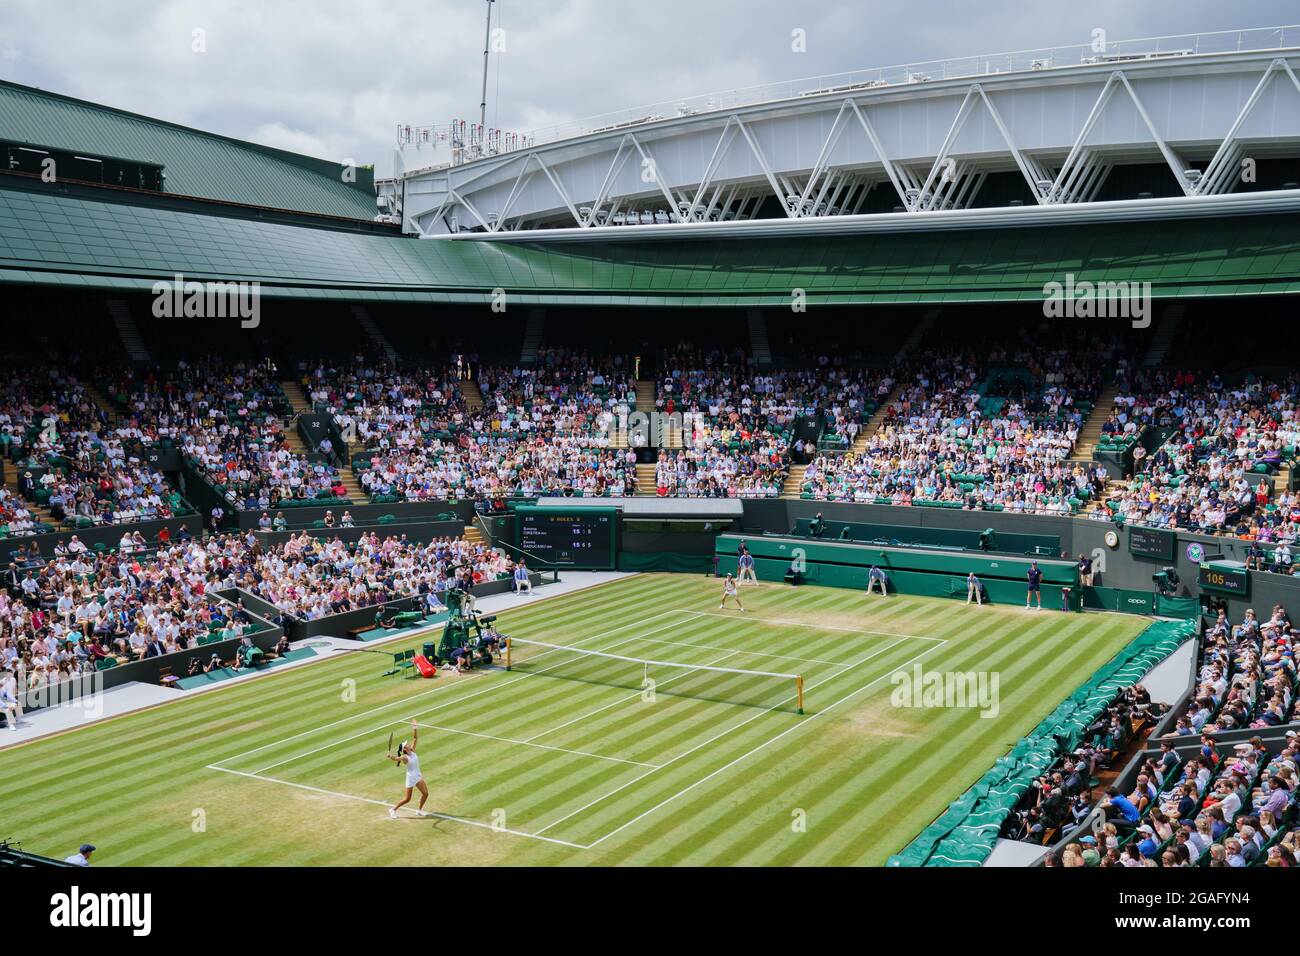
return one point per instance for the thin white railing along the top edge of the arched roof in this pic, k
(993, 64)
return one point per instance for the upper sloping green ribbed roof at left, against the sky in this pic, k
(196, 163)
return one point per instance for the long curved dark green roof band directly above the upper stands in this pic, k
(63, 237)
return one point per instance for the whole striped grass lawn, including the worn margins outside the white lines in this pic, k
(538, 767)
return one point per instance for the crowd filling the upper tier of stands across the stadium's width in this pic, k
(995, 432)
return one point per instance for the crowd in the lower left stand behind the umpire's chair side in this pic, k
(81, 611)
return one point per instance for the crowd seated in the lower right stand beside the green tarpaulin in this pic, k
(1195, 803)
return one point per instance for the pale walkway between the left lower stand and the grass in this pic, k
(102, 706)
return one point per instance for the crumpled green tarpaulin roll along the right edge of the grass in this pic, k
(967, 832)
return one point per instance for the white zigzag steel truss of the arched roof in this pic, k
(837, 185)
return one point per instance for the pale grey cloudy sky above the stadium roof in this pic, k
(335, 79)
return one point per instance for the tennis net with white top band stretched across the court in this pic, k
(765, 690)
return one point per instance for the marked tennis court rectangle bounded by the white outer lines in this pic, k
(592, 723)
